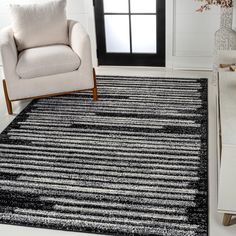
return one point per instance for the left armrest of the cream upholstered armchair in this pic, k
(8, 53)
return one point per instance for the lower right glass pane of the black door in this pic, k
(143, 34)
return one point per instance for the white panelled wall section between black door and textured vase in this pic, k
(190, 35)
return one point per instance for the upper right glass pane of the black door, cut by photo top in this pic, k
(143, 6)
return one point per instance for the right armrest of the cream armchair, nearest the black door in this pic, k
(80, 43)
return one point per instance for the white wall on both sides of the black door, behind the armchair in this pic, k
(189, 35)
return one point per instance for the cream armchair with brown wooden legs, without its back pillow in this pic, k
(48, 70)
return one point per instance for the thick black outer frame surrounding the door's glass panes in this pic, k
(127, 59)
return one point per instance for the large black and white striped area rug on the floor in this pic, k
(133, 163)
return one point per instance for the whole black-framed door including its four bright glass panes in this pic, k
(130, 32)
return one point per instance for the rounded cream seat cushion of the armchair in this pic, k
(45, 61)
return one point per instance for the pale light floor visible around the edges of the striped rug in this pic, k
(215, 219)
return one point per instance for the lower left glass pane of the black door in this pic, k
(117, 33)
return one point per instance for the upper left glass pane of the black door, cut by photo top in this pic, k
(116, 6)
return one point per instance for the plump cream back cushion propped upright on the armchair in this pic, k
(41, 24)
